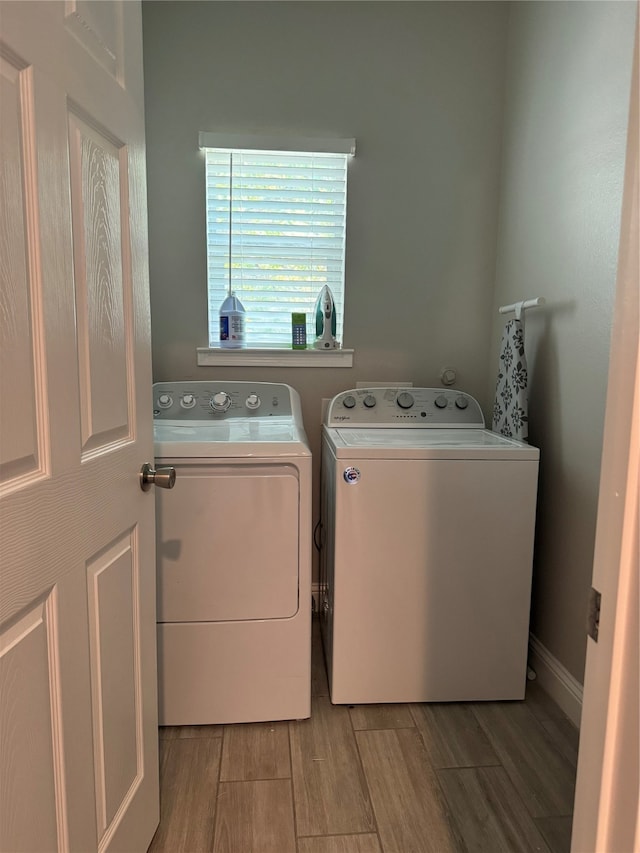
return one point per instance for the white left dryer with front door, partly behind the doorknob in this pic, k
(233, 553)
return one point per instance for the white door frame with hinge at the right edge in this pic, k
(607, 807)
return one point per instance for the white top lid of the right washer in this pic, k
(428, 444)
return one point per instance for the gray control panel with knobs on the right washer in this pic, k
(404, 407)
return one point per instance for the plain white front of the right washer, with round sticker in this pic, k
(432, 580)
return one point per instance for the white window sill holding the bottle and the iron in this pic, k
(217, 357)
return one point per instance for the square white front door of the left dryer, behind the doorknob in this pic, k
(227, 542)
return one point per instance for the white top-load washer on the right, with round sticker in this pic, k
(426, 559)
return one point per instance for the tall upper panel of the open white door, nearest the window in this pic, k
(99, 198)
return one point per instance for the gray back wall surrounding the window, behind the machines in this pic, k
(420, 86)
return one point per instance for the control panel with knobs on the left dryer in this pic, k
(220, 400)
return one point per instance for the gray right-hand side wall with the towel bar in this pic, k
(568, 88)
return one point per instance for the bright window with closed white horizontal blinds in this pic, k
(276, 226)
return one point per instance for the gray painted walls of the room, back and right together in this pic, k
(422, 87)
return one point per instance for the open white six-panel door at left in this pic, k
(78, 737)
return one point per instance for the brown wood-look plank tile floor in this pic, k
(473, 777)
